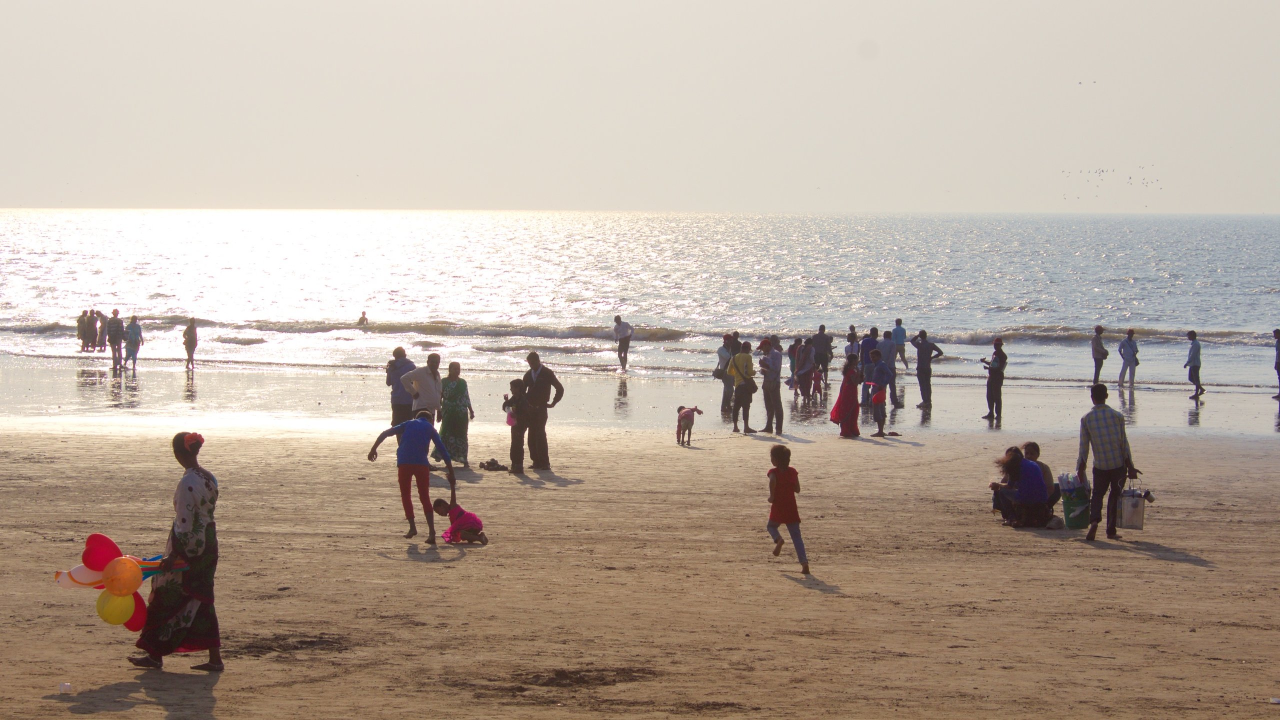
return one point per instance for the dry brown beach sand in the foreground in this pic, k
(637, 581)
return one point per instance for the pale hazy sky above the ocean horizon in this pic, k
(602, 106)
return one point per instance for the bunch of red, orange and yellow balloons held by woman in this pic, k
(118, 576)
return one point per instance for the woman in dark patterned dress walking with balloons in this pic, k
(181, 616)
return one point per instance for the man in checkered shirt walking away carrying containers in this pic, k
(1103, 430)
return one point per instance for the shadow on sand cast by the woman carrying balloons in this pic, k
(181, 695)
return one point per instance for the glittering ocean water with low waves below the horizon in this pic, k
(483, 289)
